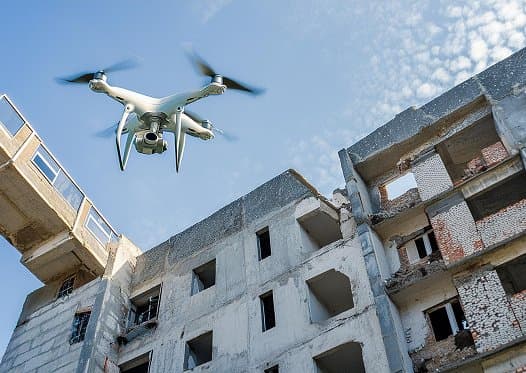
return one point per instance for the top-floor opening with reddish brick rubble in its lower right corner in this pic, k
(472, 150)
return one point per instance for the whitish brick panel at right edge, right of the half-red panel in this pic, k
(504, 224)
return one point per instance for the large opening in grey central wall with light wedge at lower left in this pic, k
(329, 295)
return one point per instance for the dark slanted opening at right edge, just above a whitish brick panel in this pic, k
(498, 197)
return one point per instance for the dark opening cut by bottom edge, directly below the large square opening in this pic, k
(344, 358)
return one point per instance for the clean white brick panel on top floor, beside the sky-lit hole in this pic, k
(431, 177)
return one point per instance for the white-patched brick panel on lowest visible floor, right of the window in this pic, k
(487, 309)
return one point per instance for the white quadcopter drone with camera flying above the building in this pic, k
(145, 118)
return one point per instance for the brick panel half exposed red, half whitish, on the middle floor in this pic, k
(456, 233)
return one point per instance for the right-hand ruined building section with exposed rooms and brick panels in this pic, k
(438, 195)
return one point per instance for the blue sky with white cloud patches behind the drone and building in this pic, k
(333, 70)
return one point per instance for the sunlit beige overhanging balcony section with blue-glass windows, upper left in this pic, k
(45, 214)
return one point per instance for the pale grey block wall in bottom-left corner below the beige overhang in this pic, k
(41, 343)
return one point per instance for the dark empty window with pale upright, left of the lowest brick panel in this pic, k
(447, 319)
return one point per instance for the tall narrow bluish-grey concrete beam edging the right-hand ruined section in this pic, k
(397, 355)
